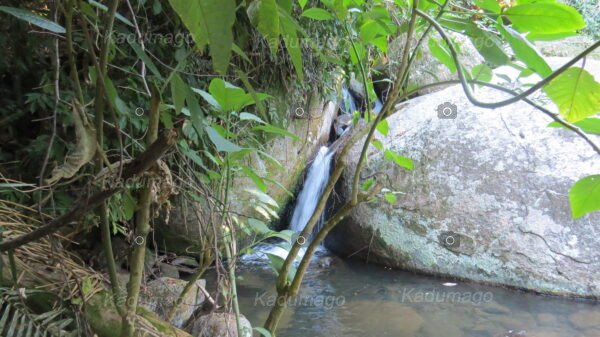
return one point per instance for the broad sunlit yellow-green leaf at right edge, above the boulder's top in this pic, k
(576, 94)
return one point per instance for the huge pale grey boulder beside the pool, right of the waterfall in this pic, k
(487, 199)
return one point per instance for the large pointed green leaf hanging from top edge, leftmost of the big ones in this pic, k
(210, 22)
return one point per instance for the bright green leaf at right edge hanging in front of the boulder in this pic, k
(584, 196)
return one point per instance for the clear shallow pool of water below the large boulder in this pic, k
(351, 299)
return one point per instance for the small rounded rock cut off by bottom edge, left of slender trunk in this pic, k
(220, 325)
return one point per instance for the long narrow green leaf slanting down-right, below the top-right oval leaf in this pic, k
(525, 51)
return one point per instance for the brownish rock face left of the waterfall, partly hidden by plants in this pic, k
(312, 124)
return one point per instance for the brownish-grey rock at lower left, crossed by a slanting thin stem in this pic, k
(159, 296)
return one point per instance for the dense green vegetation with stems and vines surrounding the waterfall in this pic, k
(110, 109)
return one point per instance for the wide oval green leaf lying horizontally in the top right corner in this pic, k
(545, 17)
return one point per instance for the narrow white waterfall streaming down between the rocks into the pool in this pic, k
(316, 180)
